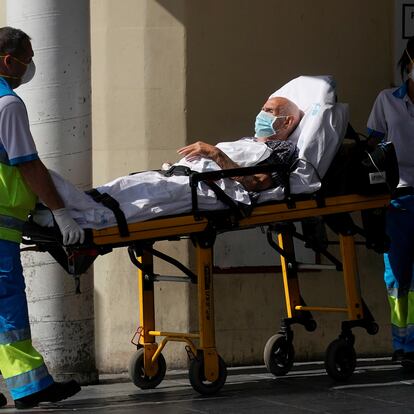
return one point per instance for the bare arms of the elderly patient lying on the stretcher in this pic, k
(256, 182)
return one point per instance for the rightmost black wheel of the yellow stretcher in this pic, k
(340, 359)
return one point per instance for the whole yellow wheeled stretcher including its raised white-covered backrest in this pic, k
(318, 137)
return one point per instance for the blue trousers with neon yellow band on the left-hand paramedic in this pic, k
(20, 364)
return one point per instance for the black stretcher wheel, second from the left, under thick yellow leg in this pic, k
(198, 380)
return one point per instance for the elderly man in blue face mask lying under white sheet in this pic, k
(150, 194)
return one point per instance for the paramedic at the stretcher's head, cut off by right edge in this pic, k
(392, 119)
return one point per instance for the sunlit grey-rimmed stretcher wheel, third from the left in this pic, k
(278, 355)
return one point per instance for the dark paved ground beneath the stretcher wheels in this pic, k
(377, 386)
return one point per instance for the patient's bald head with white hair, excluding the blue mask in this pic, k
(290, 117)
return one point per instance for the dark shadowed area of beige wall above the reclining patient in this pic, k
(239, 52)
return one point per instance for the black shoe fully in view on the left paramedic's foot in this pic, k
(58, 391)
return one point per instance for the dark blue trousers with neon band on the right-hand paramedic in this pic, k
(398, 274)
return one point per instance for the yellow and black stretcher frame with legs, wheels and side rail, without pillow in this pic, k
(207, 370)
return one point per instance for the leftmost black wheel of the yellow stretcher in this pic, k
(137, 373)
